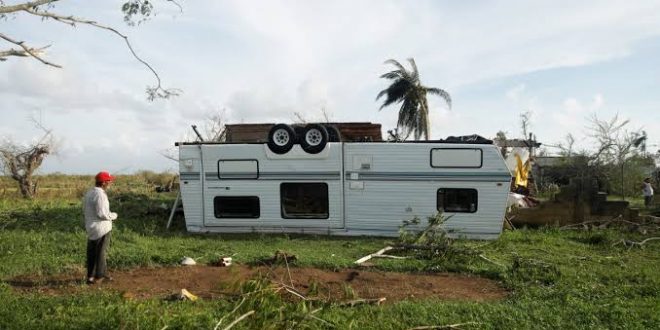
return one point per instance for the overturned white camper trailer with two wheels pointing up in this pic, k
(341, 188)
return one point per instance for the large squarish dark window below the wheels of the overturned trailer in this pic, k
(304, 200)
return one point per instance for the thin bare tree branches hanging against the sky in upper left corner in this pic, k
(133, 10)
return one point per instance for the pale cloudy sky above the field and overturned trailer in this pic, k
(261, 61)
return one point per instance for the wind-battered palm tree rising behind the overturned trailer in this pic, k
(409, 91)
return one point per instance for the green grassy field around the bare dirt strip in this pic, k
(556, 279)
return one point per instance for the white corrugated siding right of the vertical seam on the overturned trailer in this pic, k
(388, 199)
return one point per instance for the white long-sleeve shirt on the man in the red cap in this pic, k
(96, 209)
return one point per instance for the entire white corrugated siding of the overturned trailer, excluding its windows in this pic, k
(397, 184)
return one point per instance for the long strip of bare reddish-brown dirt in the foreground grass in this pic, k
(216, 282)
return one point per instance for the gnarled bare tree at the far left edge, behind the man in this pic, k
(20, 162)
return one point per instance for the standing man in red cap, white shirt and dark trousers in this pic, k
(98, 224)
